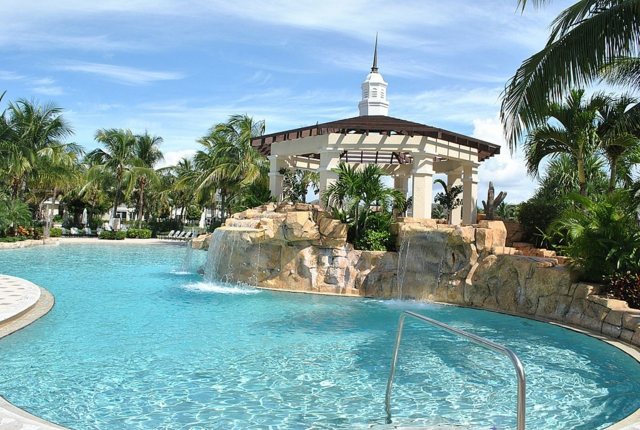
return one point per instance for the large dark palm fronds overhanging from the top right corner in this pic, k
(585, 38)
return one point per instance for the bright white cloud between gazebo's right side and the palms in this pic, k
(507, 172)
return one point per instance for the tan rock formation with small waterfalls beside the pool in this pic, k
(301, 248)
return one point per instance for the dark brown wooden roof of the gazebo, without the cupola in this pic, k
(384, 125)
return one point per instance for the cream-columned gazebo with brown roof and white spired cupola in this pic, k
(406, 150)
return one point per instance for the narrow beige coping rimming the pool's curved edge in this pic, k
(46, 302)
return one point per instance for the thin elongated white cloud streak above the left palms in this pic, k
(122, 74)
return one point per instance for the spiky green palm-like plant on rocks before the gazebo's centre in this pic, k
(357, 195)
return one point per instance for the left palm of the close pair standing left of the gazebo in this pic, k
(116, 160)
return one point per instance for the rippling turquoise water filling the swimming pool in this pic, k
(133, 344)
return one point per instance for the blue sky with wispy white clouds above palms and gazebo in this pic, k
(175, 68)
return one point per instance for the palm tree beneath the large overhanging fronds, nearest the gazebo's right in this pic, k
(570, 128)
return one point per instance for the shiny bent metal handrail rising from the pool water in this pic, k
(517, 364)
